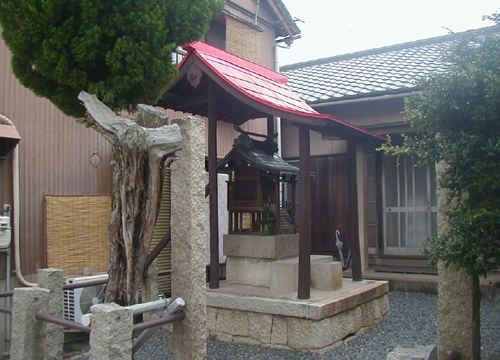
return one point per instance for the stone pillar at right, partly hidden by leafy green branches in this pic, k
(458, 300)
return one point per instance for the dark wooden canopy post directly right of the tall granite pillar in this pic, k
(213, 196)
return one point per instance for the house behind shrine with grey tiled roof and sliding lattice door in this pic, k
(397, 203)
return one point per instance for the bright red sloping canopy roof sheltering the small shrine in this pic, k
(261, 90)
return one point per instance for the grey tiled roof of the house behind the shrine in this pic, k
(377, 72)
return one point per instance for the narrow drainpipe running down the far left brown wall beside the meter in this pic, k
(16, 212)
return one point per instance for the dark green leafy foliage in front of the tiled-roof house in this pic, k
(457, 114)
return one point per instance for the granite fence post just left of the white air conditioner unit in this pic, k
(52, 280)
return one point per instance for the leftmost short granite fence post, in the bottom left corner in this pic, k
(28, 334)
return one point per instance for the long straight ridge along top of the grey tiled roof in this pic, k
(389, 48)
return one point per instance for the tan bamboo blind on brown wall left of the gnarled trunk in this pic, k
(77, 232)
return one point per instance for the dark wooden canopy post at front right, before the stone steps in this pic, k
(304, 286)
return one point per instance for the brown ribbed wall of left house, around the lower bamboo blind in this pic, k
(54, 159)
